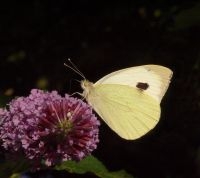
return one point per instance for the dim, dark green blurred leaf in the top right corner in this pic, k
(188, 18)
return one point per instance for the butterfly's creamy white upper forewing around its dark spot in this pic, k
(155, 76)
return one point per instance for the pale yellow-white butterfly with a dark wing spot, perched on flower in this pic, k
(128, 100)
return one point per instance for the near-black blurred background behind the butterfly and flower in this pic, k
(37, 37)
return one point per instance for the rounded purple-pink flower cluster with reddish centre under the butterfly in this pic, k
(48, 128)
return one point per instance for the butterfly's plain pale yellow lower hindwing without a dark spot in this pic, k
(128, 111)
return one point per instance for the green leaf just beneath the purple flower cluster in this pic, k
(91, 165)
